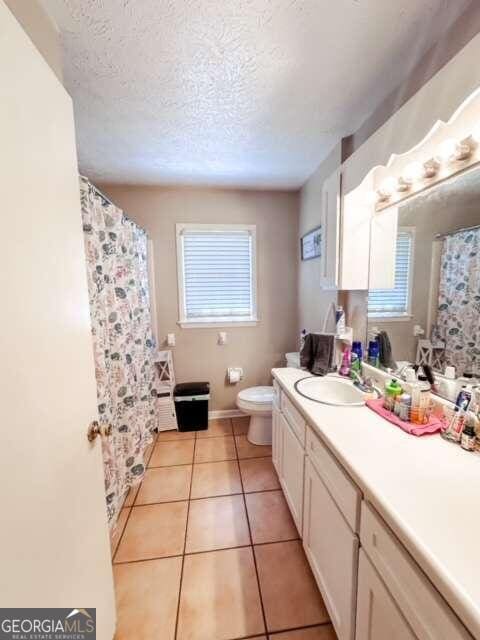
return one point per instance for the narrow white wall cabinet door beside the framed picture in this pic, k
(330, 231)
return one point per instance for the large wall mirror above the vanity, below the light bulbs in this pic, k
(430, 312)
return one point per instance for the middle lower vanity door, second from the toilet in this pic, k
(332, 550)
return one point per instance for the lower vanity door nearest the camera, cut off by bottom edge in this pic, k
(378, 617)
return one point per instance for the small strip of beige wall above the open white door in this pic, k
(41, 31)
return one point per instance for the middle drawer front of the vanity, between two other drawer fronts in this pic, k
(345, 492)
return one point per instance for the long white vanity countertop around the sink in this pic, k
(426, 489)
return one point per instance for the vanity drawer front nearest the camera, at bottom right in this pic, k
(426, 611)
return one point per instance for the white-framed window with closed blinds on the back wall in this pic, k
(216, 274)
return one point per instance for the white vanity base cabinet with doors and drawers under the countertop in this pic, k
(372, 587)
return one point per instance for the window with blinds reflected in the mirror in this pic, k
(396, 302)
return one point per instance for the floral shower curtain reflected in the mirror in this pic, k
(458, 317)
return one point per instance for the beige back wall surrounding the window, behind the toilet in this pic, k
(256, 349)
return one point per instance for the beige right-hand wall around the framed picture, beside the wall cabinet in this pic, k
(313, 303)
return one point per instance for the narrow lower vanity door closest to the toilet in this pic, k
(292, 467)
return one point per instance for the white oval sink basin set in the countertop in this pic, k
(333, 390)
